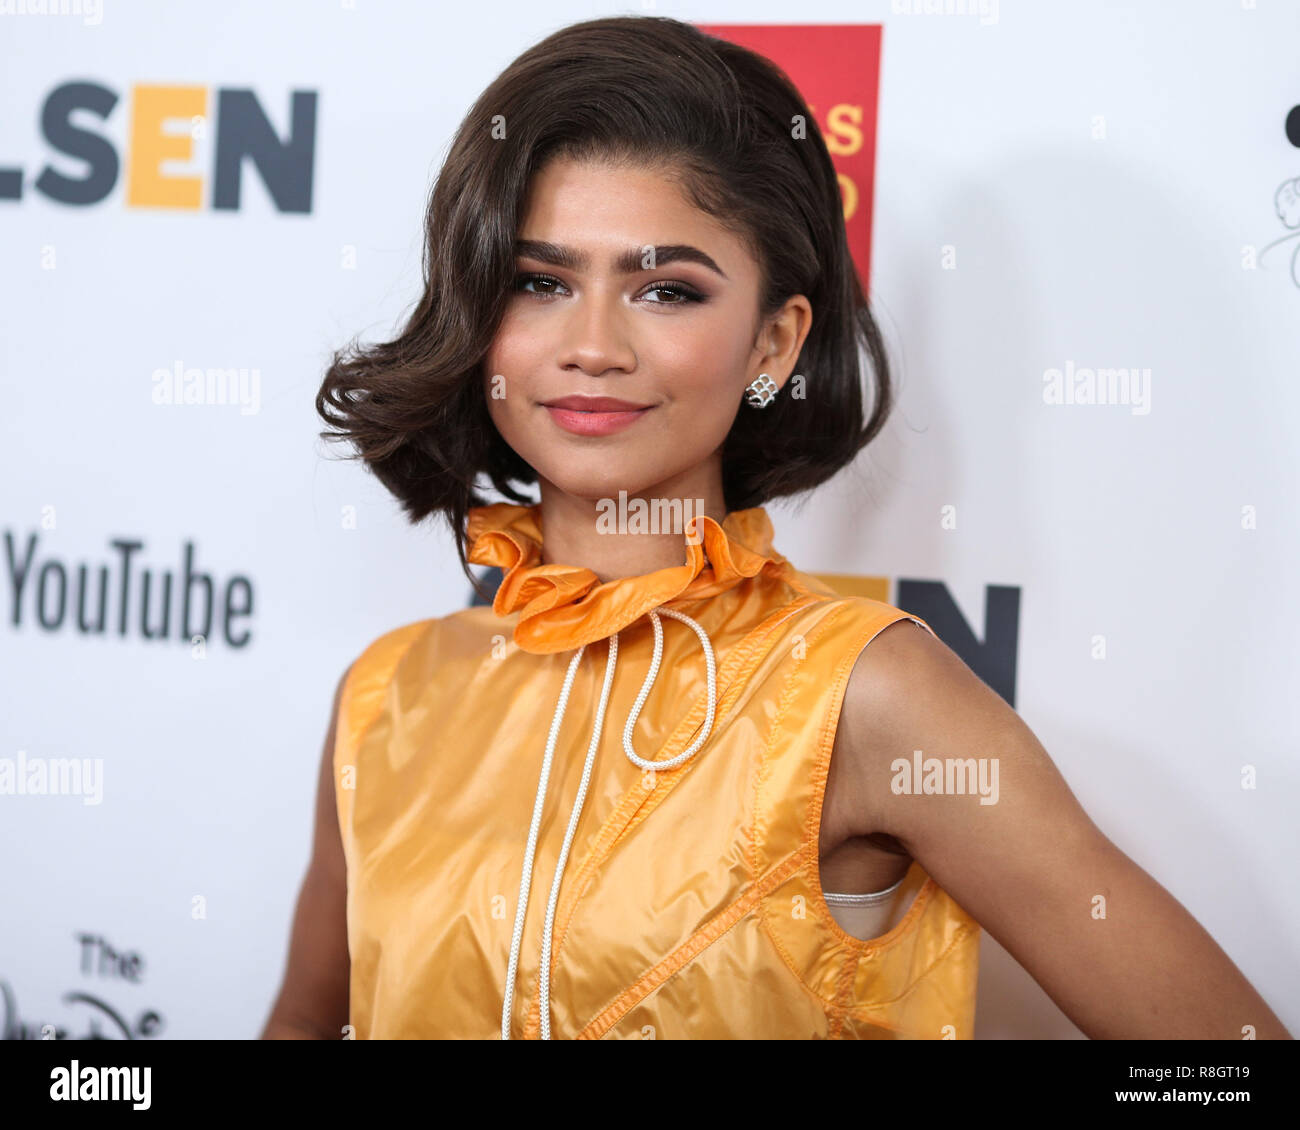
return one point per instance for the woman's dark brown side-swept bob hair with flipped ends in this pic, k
(734, 132)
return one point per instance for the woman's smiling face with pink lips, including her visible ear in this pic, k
(626, 291)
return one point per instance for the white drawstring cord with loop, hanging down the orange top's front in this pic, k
(527, 878)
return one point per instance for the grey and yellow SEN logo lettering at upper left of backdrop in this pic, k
(239, 129)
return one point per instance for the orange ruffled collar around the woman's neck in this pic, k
(564, 607)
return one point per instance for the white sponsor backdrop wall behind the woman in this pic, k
(1059, 185)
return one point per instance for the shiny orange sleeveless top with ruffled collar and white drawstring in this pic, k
(688, 902)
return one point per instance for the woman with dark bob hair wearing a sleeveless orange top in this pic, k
(639, 295)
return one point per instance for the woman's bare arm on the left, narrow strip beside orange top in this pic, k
(313, 1003)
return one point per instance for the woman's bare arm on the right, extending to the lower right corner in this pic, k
(1032, 868)
